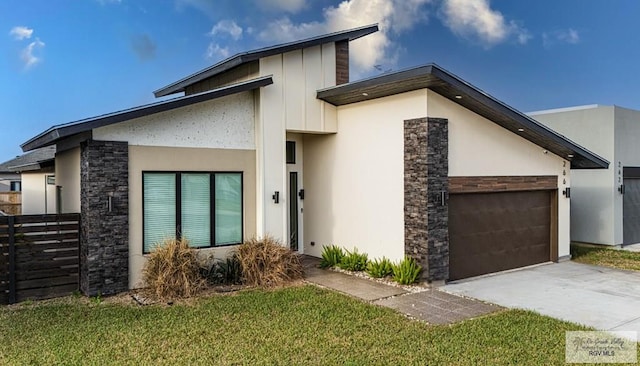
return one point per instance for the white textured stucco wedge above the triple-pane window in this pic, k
(226, 123)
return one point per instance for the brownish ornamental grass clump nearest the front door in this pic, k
(265, 262)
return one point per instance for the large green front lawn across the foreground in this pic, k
(294, 325)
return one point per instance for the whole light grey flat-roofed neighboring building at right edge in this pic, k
(605, 204)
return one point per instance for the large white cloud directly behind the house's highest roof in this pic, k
(393, 17)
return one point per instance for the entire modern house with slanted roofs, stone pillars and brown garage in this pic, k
(278, 141)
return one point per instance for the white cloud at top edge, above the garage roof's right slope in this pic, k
(475, 20)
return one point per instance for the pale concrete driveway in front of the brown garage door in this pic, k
(603, 298)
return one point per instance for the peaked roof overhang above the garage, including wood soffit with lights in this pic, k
(457, 90)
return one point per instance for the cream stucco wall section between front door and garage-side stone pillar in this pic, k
(354, 180)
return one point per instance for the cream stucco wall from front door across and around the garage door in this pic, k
(354, 180)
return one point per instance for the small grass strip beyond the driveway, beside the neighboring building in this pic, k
(615, 258)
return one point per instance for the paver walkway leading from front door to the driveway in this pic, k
(431, 305)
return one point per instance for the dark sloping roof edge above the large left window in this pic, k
(58, 132)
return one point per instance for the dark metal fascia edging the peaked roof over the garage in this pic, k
(467, 88)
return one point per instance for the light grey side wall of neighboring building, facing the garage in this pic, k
(596, 206)
